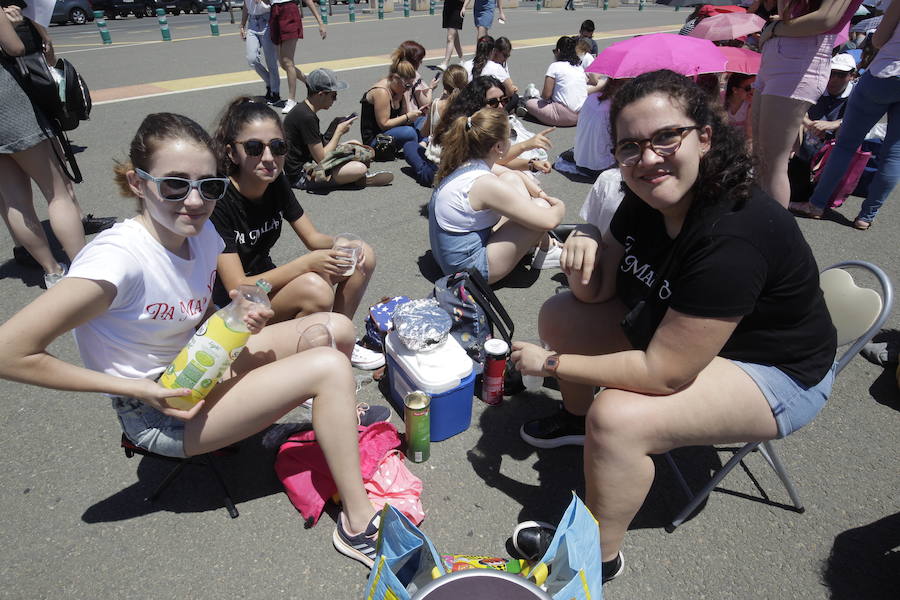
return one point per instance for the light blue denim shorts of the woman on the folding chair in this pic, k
(793, 404)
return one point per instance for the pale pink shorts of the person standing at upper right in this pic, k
(796, 67)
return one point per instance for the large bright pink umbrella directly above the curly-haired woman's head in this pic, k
(645, 53)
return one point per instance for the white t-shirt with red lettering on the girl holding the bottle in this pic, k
(160, 298)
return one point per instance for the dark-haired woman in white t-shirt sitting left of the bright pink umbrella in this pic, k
(565, 87)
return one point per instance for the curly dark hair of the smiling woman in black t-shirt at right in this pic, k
(726, 170)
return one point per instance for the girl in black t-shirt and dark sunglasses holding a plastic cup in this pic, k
(250, 144)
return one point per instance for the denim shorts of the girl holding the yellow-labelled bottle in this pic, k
(148, 428)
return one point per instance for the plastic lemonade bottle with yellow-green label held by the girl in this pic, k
(218, 341)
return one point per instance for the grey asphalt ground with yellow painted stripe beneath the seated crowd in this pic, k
(72, 513)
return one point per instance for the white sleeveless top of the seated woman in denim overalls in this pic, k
(451, 200)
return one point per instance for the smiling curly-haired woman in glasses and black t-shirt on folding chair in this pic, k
(699, 314)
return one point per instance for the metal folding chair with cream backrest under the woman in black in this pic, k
(858, 314)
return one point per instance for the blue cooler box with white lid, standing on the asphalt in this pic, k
(444, 373)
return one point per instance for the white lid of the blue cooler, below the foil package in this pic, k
(436, 371)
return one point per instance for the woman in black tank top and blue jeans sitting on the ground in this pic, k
(385, 107)
